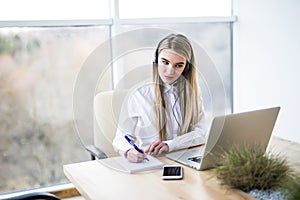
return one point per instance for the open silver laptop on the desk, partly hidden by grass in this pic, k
(253, 128)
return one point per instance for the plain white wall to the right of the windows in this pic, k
(266, 63)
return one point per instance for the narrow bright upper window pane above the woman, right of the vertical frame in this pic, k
(171, 8)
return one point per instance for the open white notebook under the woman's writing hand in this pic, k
(120, 163)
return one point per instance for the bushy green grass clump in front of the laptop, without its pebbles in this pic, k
(247, 168)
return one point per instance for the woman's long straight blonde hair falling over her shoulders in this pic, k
(187, 86)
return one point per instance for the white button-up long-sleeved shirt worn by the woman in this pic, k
(137, 119)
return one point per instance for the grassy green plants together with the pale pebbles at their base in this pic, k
(262, 175)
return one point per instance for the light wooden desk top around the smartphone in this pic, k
(95, 181)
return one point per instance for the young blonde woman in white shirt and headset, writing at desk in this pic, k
(167, 114)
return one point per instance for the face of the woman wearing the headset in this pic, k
(170, 65)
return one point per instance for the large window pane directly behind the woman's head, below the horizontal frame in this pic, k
(212, 46)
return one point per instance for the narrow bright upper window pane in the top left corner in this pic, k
(54, 10)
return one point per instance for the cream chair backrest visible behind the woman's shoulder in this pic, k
(107, 107)
